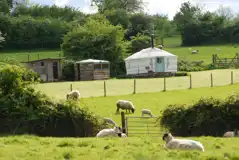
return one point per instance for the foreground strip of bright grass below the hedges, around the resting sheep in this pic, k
(145, 148)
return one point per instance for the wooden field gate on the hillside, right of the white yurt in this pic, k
(225, 62)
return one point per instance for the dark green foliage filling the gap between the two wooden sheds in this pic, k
(68, 70)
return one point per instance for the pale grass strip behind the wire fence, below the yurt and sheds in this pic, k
(121, 87)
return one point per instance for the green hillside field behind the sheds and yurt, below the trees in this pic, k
(172, 45)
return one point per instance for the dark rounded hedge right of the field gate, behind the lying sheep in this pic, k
(207, 117)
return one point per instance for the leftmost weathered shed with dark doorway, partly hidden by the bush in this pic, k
(48, 69)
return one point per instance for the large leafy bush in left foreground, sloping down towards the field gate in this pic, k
(26, 111)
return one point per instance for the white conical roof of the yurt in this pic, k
(148, 53)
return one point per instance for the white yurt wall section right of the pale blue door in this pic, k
(171, 64)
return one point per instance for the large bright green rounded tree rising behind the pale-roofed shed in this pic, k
(97, 39)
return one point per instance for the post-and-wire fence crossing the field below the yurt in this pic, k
(164, 84)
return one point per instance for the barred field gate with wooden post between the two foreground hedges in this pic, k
(140, 126)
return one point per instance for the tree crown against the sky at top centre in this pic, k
(127, 5)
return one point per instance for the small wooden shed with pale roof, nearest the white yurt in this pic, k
(92, 69)
